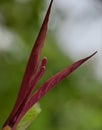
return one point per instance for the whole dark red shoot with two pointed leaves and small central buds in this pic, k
(34, 71)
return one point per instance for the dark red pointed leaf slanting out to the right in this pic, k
(54, 80)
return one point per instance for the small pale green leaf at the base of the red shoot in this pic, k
(29, 117)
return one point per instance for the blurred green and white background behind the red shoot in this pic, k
(75, 103)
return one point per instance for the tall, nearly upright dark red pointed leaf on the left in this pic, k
(32, 66)
